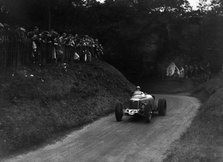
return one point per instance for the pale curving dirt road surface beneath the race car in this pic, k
(128, 141)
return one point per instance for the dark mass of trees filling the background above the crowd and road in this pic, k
(140, 37)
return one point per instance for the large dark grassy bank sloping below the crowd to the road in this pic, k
(37, 103)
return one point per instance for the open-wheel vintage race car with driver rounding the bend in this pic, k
(142, 104)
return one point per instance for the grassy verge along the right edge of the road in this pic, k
(203, 140)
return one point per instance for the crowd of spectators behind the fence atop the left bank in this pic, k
(19, 46)
